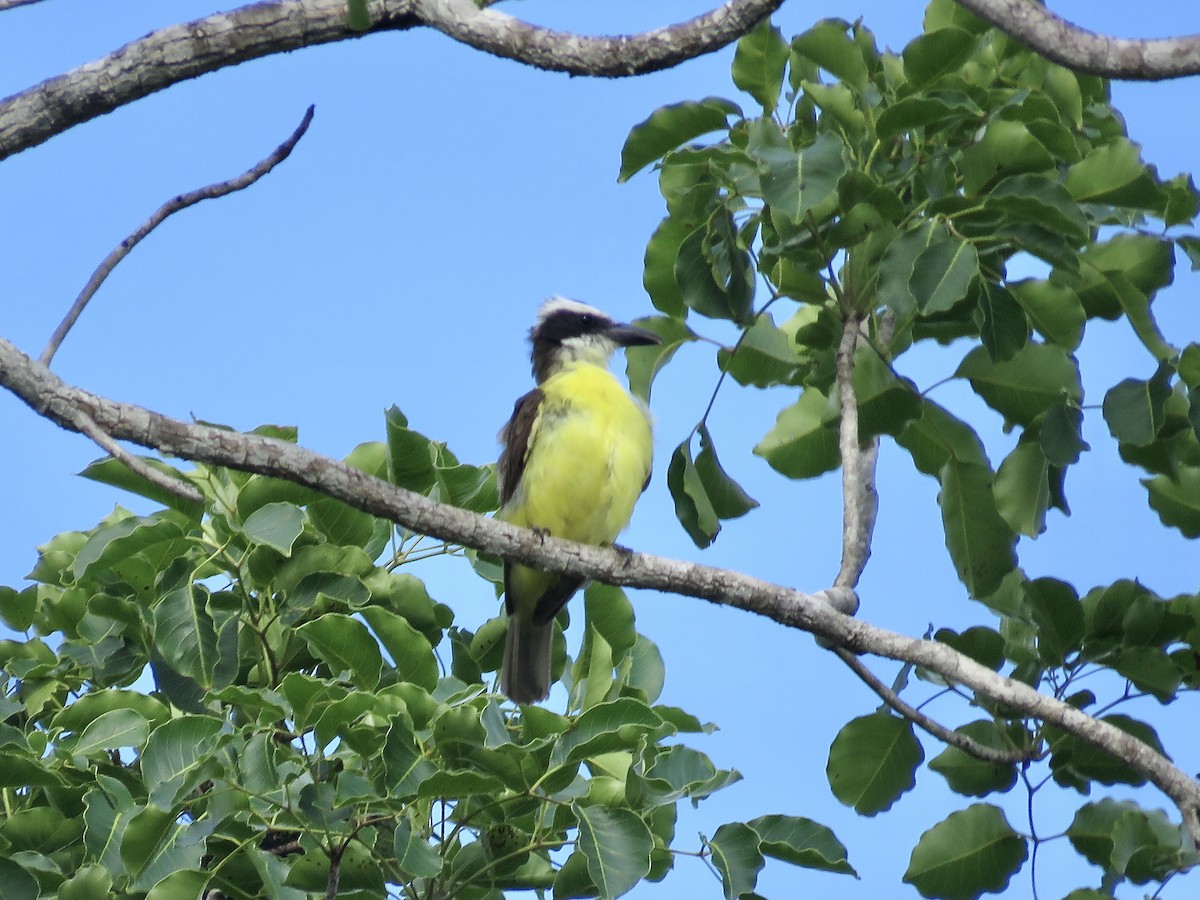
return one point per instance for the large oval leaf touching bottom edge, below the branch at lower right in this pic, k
(965, 855)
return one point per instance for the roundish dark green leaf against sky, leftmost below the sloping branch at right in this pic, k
(874, 761)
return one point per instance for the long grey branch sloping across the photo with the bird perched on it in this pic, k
(53, 399)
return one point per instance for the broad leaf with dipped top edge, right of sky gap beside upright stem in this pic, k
(1025, 386)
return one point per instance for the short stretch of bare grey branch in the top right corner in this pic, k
(1084, 51)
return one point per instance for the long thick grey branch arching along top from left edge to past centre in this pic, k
(181, 52)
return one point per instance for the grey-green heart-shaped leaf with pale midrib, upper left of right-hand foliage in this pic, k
(795, 182)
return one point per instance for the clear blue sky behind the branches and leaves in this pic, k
(399, 257)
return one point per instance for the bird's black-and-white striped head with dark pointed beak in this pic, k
(568, 332)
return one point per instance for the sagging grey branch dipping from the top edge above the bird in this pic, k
(611, 57)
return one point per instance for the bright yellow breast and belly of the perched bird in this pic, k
(589, 458)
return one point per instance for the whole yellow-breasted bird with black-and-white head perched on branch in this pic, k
(575, 458)
